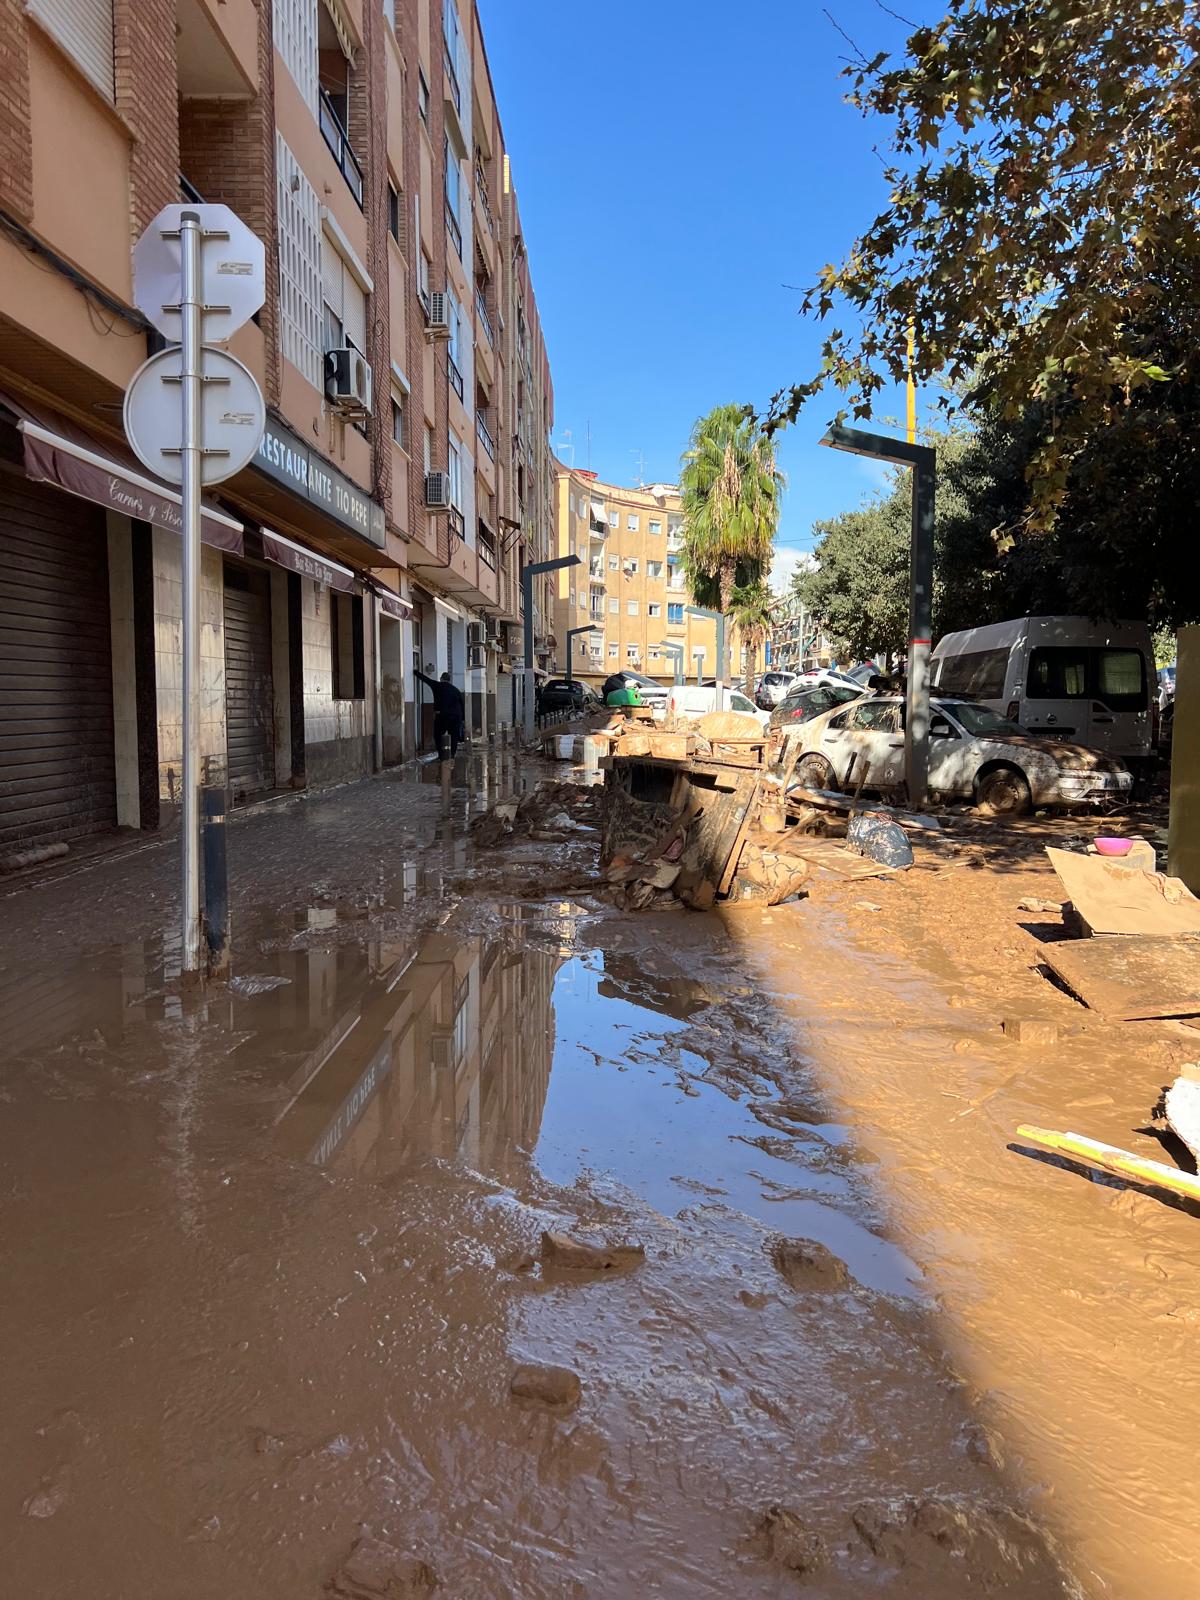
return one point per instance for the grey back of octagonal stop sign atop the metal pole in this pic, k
(233, 273)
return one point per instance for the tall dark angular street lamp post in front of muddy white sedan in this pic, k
(924, 463)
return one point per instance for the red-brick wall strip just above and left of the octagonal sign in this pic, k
(145, 50)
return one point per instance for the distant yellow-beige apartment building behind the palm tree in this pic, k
(630, 585)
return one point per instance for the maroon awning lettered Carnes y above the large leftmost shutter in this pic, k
(58, 452)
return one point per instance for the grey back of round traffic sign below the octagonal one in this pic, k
(233, 410)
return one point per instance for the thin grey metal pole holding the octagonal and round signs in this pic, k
(191, 241)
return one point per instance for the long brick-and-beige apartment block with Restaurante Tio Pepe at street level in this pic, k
(406, 466)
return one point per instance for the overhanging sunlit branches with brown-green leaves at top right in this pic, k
(1041, 233)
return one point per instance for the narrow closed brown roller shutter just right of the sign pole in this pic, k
(250, 692)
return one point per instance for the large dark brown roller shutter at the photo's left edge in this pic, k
(57, 750)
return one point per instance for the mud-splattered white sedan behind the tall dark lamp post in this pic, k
(975, 754)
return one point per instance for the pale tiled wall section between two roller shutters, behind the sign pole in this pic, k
(169, 660)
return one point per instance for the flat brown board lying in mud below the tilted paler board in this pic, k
(1130, 978)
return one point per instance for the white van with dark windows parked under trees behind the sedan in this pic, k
(1063, 678)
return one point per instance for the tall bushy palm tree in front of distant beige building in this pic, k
(732, 492)
